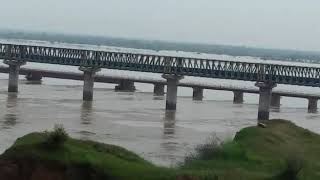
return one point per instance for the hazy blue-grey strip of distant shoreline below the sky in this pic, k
(270, 54)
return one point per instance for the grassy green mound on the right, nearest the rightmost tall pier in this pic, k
(265, 153)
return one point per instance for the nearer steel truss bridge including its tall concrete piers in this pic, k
(266, 76)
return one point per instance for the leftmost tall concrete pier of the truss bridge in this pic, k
(14, 67)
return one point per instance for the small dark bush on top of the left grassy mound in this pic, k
(57, 137)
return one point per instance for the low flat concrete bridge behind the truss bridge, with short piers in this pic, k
(127, 84)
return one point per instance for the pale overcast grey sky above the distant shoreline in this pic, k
(290, 24)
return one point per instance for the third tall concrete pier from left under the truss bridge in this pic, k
(172, 90)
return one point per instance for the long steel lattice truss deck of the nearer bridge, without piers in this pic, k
(210, 68)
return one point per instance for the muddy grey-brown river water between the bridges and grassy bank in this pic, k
(136, 121)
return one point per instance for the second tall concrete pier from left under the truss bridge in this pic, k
(88, 78)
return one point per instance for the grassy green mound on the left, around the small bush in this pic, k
(112, 161)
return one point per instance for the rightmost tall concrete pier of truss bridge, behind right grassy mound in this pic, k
(264, 99)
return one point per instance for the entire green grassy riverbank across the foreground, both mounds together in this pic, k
(282, 150)
